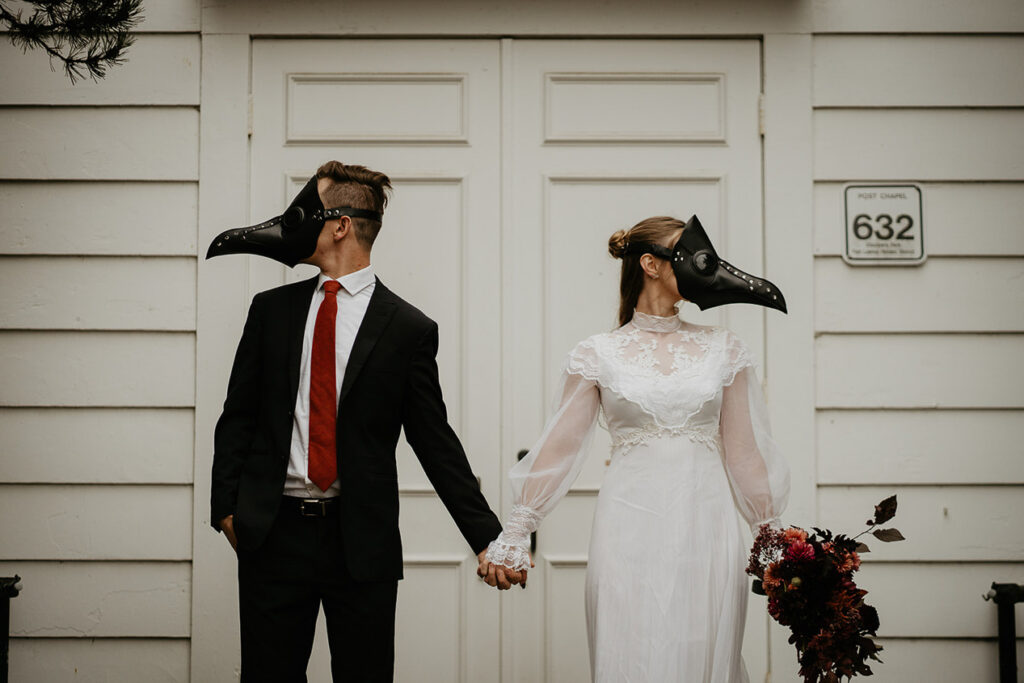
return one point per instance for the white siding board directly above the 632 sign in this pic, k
(919, 145)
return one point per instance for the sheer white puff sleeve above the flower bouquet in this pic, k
(758, 475)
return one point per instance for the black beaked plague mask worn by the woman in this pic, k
(705, 279)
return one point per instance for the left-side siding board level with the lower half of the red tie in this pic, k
(97, 446)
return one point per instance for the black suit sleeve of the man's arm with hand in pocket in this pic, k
(234, 434)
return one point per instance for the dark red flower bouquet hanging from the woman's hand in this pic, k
(808, 579)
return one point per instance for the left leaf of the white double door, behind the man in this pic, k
(426, 113)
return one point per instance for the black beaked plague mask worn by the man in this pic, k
(291, 237)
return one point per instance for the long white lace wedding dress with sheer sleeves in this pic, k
(666, 589)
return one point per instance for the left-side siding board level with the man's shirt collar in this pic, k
(98, 293)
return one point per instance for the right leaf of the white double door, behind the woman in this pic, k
(604, 135)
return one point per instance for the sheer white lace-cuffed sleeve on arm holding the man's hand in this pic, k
(544, 477)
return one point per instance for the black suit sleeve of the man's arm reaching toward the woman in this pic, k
(439, 450)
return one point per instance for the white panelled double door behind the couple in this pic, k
(513, 161)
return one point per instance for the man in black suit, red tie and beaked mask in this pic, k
(305, 480)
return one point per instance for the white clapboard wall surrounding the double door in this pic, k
(101, 291)
